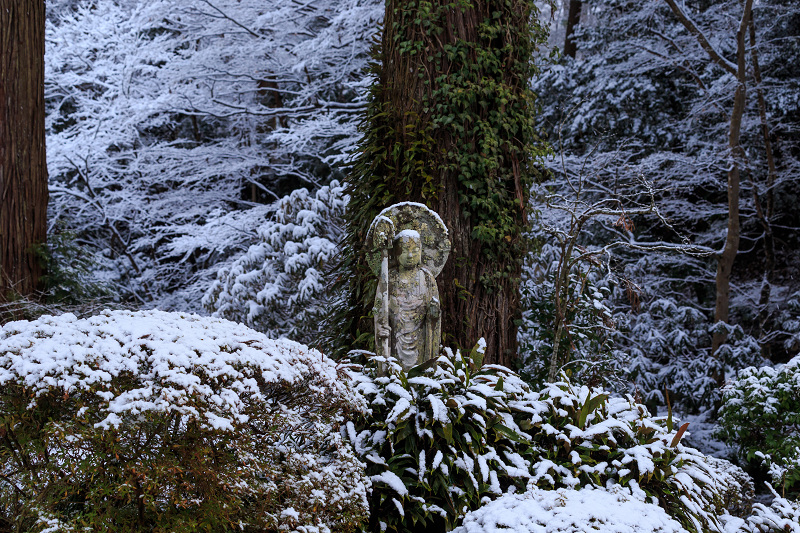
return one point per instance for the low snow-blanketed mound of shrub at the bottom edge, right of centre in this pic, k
(588, 510)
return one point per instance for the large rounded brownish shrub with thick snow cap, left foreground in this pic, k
(153, 421)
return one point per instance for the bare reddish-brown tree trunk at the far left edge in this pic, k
(23, 168)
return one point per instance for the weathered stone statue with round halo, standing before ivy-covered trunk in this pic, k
(408, 246)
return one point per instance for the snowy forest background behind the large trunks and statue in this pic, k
(197, 150)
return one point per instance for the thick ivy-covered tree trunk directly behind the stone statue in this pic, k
(450, 126)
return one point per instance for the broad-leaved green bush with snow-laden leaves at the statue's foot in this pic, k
(449, 437)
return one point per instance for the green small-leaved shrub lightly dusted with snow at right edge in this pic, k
(761, 416)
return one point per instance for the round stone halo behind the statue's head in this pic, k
(414, 216)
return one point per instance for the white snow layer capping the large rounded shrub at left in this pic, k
(179, 362)
